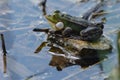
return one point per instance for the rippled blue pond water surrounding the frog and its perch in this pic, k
(17, 20)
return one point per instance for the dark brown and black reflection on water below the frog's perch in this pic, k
(61, 62)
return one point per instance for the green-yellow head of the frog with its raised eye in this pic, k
(54, 19)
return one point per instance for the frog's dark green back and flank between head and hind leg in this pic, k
(76, 23)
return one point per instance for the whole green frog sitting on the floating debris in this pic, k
(75, 27)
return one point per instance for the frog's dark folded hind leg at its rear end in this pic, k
(91, 33)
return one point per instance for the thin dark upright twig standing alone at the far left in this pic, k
(4, 53)
